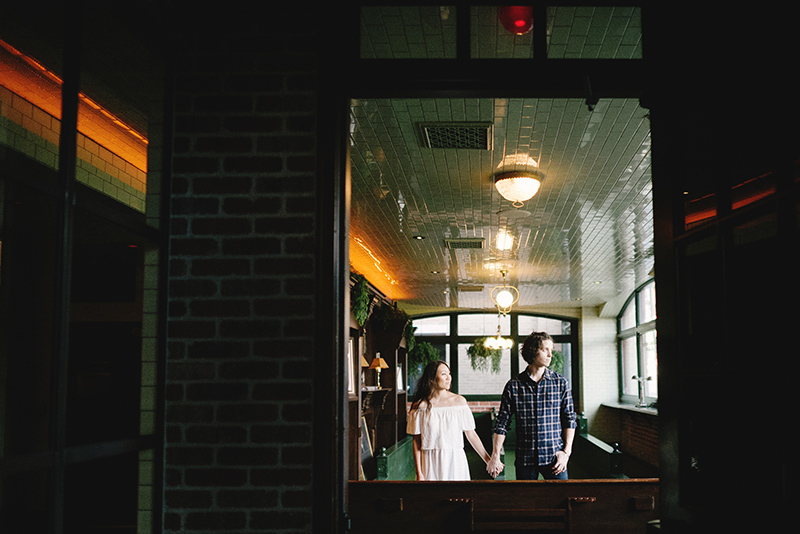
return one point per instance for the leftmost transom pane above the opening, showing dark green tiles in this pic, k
(408, 32)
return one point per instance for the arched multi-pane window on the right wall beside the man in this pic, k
(636, 334)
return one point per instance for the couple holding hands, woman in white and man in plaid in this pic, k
(539, 398)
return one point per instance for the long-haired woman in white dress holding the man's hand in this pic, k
(436, 420)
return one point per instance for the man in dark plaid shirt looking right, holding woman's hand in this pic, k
(541, 401)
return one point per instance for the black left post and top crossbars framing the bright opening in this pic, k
(371, 78)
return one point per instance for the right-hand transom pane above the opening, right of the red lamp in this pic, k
(594, 32)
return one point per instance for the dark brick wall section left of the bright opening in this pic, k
(241, 281)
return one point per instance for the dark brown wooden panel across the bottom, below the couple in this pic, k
(616, 506)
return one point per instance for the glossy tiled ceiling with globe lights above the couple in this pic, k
(588, 238)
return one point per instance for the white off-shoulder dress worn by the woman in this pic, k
(442, 428)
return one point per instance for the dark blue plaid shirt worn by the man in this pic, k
(542, 410)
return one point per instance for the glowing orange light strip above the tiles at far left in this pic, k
(29, 79)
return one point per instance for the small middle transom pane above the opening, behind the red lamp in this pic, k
(490, 39)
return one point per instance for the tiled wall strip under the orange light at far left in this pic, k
(30, 130)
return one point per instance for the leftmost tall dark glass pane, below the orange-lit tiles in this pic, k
(27, 289)
